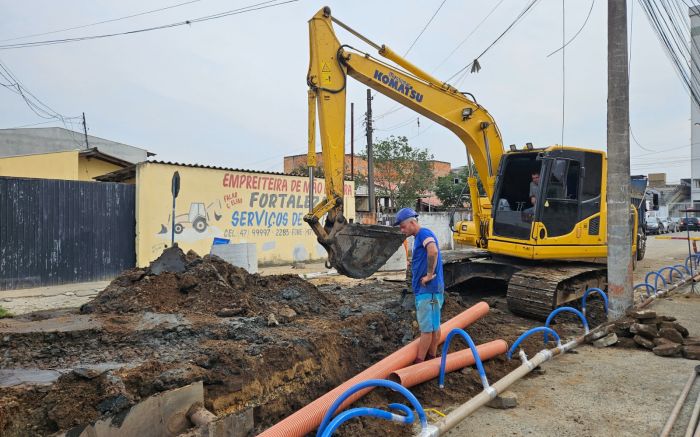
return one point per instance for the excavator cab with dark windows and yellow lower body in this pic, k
(565, 212)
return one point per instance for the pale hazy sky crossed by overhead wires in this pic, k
(232, 92)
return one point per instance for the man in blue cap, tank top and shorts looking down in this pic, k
(427, 282)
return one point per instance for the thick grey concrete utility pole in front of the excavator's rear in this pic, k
(618, 188)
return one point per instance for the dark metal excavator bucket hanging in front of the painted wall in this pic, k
(357, 250)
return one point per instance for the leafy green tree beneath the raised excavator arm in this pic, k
(401, 172)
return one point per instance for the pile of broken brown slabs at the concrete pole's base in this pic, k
(661, 334)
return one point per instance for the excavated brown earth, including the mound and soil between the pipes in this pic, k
(270, 343)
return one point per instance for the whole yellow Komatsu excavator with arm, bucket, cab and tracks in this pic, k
(534, 243)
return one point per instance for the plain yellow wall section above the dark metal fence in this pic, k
(59, 165)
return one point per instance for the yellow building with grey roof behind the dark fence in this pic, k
(57, 153)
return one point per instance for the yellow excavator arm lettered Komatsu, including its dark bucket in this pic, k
(359, 250)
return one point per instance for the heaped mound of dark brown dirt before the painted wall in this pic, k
(206, 285)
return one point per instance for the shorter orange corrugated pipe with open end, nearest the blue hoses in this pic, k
(419, 373)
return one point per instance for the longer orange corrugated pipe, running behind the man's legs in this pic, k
(309, 417)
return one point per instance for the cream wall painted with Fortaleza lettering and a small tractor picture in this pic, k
(245, 207)
